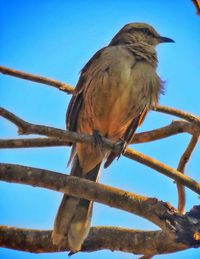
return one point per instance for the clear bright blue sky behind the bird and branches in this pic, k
(55, 39)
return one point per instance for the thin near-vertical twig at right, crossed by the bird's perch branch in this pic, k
(181, 168)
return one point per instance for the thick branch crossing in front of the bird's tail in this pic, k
(149, 208)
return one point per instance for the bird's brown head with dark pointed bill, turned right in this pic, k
(138, 32)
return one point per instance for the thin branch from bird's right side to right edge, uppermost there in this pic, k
(184, 115)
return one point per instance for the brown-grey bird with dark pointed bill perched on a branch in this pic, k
(116, 89)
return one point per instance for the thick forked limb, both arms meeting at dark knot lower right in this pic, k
(178, 231)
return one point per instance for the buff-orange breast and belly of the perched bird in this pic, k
(117, 92)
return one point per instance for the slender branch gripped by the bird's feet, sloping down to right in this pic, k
(28, 128)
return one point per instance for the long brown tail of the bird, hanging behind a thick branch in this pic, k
(72, 222)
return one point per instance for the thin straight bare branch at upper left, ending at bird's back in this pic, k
(39, 79)
